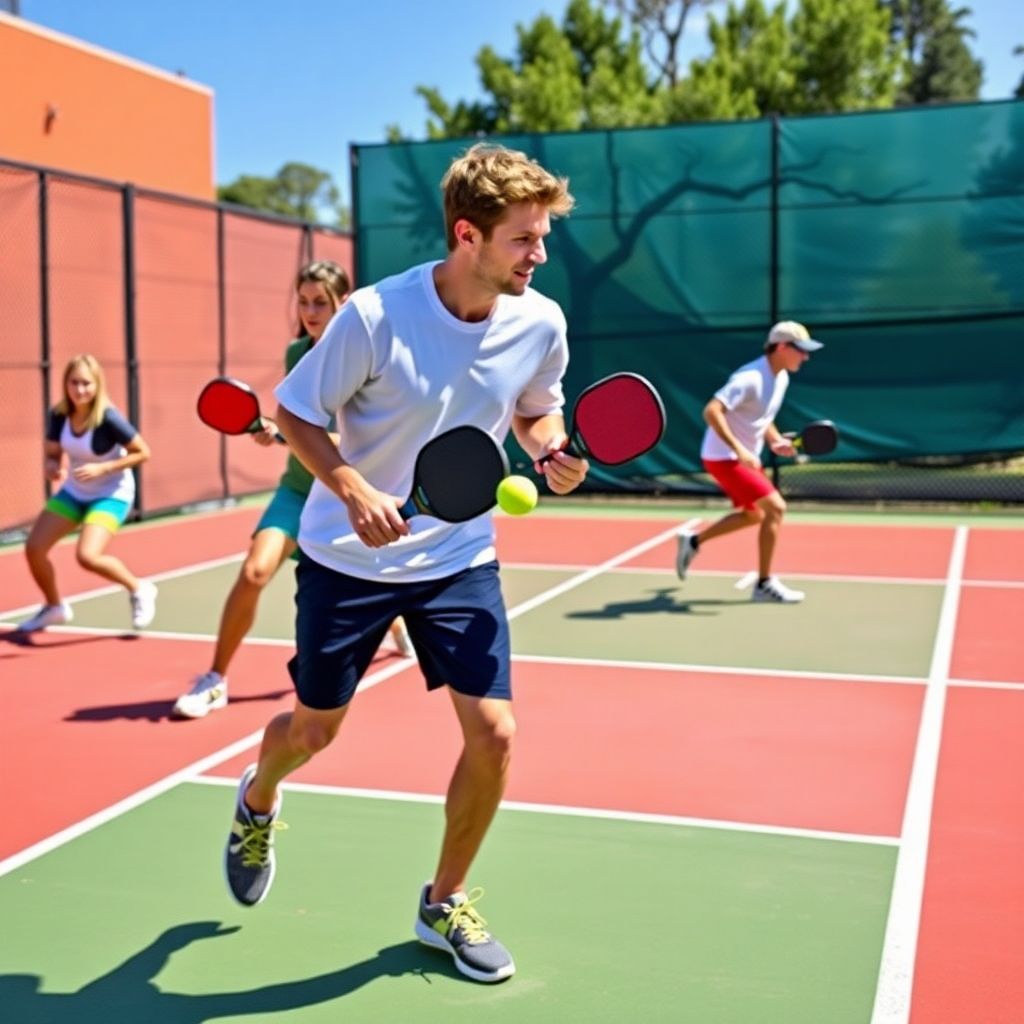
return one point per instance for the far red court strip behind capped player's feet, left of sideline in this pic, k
(908, 552)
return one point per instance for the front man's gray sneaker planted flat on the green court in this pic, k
(455, 926)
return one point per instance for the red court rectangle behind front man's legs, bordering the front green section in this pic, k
(799, 753)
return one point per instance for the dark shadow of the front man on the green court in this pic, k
(131, 992)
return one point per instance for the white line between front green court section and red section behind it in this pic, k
(578, 813)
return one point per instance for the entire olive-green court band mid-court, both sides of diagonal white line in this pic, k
(860, 628)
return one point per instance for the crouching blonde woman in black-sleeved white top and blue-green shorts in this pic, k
(91, 450)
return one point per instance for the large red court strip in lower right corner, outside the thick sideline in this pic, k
(970, 947)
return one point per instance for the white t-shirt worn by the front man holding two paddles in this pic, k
(396, 369)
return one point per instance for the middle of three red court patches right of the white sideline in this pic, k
(989, 644)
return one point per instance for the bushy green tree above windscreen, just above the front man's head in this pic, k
(581, 75)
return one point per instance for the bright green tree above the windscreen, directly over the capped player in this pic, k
(831, 56)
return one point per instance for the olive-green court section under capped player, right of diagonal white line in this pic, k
(861, 628)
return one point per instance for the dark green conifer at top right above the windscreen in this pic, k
(938, 65)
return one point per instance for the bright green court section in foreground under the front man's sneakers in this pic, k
(617, 921)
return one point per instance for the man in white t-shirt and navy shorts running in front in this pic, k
(461, 342)
